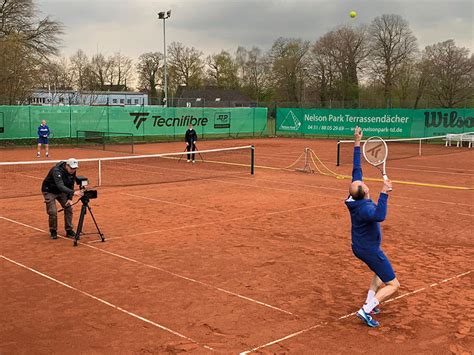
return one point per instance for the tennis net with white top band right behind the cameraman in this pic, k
(20, 179)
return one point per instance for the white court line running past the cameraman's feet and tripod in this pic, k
(160, 269)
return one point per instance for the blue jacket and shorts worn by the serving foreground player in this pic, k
(366, 233)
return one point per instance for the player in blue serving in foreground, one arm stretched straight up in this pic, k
(367, 237)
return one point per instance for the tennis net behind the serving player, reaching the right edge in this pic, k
(404, 148)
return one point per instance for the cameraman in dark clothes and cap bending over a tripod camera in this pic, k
(59, 185)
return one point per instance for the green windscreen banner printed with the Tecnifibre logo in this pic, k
(64, 121)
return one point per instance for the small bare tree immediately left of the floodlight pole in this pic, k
(149, 70)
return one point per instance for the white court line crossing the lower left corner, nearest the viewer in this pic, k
(134, 315)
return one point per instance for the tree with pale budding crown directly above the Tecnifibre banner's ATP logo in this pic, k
(222, 71)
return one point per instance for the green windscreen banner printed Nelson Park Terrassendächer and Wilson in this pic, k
(389, 123)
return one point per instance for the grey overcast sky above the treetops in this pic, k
(132, 27)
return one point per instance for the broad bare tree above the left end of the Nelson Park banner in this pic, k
(289, 62)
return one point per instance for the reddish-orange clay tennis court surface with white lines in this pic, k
(237, 263)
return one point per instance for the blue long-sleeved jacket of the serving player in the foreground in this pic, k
(365, 214)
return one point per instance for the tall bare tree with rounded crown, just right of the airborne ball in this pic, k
(392, 45)
